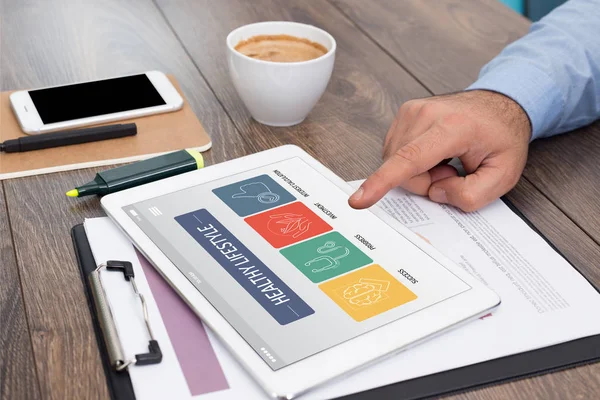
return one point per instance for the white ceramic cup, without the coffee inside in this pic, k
(280, 93)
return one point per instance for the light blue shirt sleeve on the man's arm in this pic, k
(554, 71)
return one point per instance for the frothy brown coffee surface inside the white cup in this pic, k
(280, 48)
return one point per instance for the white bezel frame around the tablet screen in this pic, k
(297, 378)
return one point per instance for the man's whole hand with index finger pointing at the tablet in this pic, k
(488, 131)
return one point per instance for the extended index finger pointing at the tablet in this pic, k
(416, 157)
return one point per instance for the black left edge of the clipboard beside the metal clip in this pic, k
(119, 384)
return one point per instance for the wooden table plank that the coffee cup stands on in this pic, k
(353, 116)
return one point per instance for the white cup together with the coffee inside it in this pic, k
(280, 69)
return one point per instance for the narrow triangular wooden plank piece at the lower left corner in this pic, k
(17, 372)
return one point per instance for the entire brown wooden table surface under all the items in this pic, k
(389, 51)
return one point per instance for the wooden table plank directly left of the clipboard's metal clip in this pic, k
(66, 355)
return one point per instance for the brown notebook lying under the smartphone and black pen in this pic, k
(157, 134)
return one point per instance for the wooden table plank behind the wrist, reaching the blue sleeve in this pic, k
(442, 43)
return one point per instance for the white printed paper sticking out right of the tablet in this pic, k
(565, 297)
